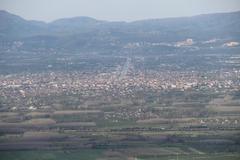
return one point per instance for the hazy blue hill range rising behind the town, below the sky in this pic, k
(86, 33)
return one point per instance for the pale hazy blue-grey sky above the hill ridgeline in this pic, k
(117, 10)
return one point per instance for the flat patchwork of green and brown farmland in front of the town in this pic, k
(199, 128)
